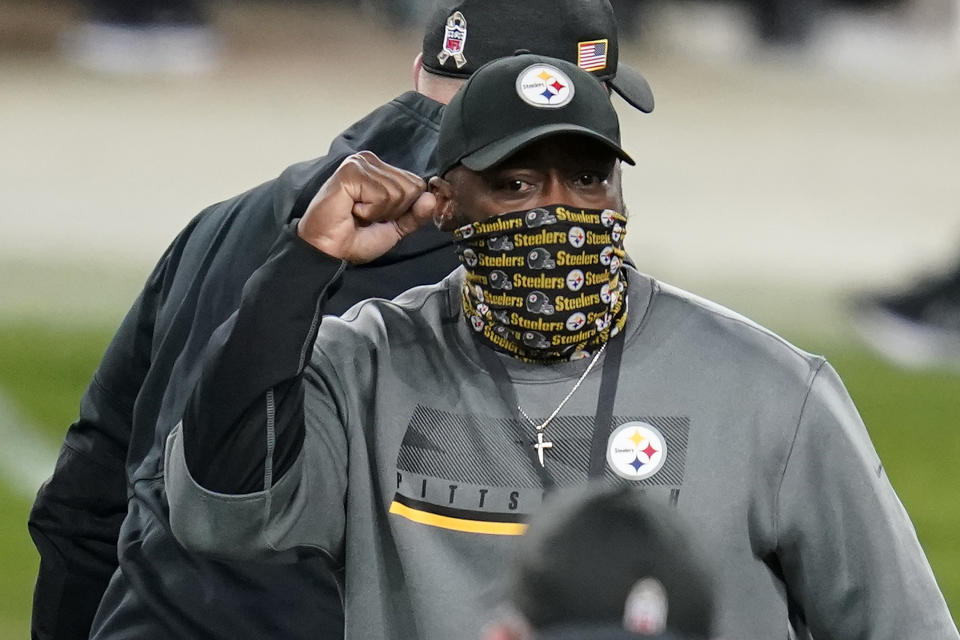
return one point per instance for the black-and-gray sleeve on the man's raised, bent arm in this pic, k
(236, 466)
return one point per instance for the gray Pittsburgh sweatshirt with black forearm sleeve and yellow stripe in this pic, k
(393, 451)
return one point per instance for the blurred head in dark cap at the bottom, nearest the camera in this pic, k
(605, 564)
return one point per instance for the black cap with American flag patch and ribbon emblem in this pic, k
(462, 36)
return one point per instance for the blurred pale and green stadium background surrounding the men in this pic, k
(801, 167)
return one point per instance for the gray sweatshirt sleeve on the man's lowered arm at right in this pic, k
(849, 553)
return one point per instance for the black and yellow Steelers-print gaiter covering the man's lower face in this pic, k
(545, 285)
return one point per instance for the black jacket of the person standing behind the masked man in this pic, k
(105, 500)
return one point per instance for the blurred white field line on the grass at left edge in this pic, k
(26, 458)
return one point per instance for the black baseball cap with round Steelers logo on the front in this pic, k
(512, 102)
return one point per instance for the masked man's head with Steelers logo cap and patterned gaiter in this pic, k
(529, 163)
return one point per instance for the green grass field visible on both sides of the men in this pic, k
(914, 419)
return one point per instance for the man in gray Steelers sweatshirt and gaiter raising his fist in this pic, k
(410, 440)
